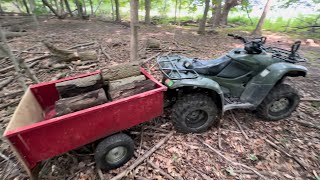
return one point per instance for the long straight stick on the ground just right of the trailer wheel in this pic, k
(142, 158)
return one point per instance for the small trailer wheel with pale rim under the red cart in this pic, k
(114, 151)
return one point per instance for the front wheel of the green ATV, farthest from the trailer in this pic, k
(279, 103)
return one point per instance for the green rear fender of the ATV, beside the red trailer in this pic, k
(201, 83)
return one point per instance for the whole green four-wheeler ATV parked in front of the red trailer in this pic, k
(245, 78)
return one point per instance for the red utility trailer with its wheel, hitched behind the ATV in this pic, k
(35, 139)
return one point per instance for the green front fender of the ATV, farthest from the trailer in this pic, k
(258, 87)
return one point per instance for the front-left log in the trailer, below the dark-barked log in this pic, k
(82, 101)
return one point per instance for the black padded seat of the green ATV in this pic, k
(208, 67)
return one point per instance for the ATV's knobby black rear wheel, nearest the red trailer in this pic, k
(194, 113)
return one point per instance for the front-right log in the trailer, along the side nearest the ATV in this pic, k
(129, 90)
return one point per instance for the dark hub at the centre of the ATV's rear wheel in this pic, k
(196, 118)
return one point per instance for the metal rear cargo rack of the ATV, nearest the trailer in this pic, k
(173, 68)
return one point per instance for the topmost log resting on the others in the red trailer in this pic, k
(120, 71)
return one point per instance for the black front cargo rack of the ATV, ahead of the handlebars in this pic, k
(285, 55)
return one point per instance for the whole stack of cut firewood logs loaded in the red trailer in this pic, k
(111, 84)
